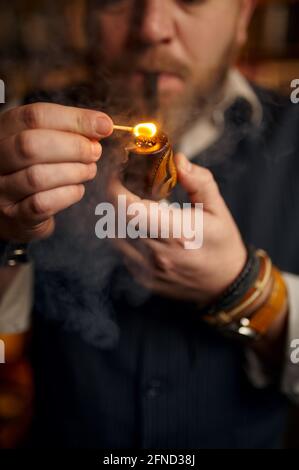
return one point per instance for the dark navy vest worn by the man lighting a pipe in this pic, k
(116, 373)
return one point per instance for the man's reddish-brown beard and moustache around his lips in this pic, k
(173, 112)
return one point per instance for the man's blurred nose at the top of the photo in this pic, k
(156, 23)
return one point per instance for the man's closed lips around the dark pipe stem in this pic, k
(166, 81)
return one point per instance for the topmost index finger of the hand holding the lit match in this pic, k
(91, 124)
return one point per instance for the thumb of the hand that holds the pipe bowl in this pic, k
(199, 184)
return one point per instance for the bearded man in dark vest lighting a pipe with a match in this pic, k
(142, 343)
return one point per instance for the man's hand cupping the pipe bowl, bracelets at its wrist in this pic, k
(166, 267)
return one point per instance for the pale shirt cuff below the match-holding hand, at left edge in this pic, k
(16, 304)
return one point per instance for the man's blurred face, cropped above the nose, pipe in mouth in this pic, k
(188, 45)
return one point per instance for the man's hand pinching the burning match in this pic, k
(47, 152)
